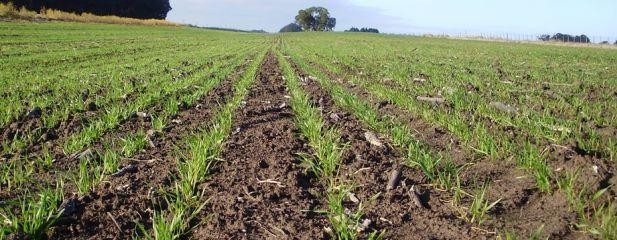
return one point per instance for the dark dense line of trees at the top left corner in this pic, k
(141, 9)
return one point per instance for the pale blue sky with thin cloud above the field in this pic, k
(592, 17)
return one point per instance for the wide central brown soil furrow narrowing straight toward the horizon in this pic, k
(260, 190)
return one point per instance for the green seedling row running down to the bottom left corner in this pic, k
(28, 219)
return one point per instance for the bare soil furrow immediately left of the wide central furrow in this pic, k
(112, 210)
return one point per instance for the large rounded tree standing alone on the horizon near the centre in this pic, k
(315, 19)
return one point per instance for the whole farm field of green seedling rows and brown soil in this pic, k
(112, 131)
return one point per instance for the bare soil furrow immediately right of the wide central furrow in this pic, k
(369, 168)
